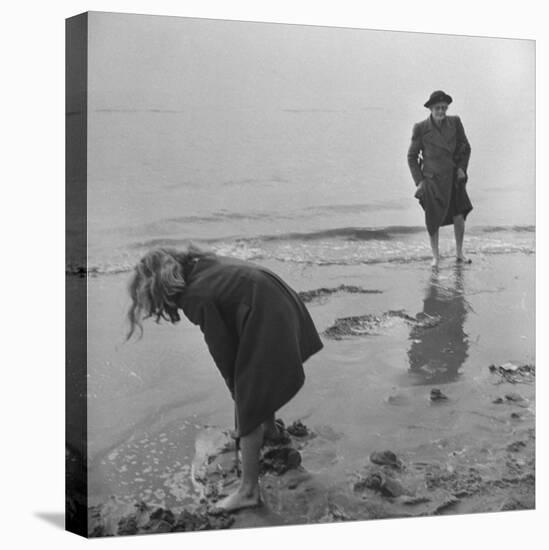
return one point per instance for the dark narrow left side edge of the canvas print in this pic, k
(76, 67)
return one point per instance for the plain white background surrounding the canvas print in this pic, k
(33, 260)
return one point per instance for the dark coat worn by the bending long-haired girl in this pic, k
(257, 330)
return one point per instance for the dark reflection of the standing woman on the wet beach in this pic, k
(437, 353)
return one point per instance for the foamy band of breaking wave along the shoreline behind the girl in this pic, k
(343, 246)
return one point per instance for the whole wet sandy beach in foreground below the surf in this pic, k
(157, 406)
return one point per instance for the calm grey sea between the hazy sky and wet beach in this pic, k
(299, 186)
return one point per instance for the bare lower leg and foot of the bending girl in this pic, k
(247, 495)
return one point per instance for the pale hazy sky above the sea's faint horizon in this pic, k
(176, 63)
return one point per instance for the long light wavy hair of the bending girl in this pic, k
(157, 280)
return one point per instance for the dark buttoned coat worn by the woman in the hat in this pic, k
(434, 156)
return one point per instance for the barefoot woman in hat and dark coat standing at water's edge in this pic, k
(438, 157)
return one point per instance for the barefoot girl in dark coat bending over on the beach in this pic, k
(257, 329)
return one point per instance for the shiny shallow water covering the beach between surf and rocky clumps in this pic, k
(148, 400)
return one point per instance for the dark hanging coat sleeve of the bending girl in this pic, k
(221, 343)
